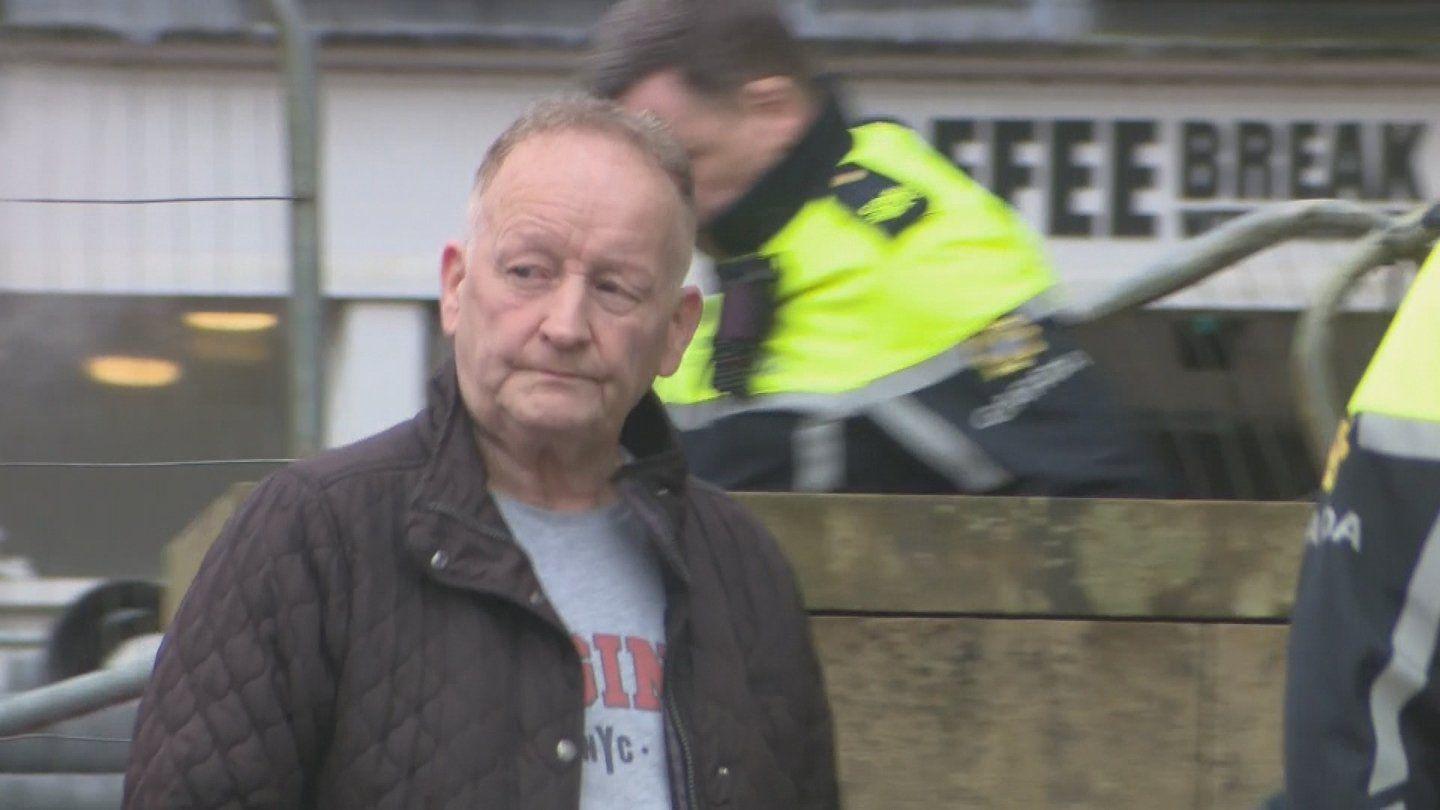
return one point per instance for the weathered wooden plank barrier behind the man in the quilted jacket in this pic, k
(1026, 713)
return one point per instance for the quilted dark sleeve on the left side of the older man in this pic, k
(240, 706)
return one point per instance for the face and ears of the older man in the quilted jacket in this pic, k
(567, 302)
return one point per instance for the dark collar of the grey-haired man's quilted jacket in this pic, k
(453, 512)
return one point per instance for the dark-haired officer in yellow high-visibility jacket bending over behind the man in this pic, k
(883, 322)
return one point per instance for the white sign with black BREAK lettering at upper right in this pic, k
(1117, 177)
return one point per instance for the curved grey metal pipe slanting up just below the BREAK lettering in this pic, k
(1242, 237)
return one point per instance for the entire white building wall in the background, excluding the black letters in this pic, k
(400, 149)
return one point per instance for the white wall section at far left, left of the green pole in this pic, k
(96, 132)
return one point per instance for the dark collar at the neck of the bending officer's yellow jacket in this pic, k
(803, 175)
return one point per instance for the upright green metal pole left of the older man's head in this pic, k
(306, 305)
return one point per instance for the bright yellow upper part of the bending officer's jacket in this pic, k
(886, 257)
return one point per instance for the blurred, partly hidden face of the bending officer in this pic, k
(732, 142)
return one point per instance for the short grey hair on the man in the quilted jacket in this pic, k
(577, 113)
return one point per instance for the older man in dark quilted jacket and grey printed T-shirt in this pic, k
(518, 599)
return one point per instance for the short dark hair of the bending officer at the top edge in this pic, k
(716, 45)
